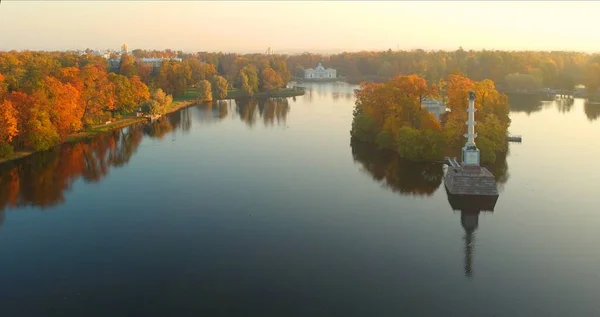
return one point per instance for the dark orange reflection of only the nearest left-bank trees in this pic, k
(41, 179)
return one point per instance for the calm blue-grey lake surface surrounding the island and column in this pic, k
(266, 209)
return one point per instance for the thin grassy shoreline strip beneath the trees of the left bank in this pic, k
(177, 105)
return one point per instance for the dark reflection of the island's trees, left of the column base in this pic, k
(397, 174)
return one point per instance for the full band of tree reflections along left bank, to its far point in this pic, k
(42, 179)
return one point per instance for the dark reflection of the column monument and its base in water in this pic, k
(470, 207)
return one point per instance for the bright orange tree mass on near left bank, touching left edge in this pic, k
(45, 97)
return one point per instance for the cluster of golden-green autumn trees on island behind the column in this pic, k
(390, 115)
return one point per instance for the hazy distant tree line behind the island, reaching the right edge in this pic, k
(561, 70)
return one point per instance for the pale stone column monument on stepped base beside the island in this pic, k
(469, 178)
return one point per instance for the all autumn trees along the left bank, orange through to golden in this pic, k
(47, 98)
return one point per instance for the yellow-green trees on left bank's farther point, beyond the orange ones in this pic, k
(211, 73)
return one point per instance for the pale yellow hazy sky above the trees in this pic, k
(291, 26)
